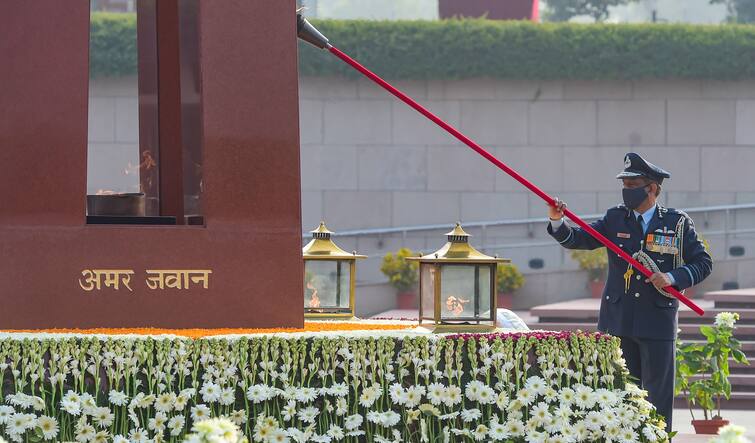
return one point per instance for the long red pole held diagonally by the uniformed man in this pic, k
(529, 185)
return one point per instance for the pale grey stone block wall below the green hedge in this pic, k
(369, 161)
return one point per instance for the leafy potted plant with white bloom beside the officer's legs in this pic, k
(702, 371)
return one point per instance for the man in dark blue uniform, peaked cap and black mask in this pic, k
(632, 307)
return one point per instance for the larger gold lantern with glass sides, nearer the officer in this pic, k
(457, 287)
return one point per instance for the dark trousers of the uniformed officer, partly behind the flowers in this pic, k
(652, 362)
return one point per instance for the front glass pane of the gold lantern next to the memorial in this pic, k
(326, 284)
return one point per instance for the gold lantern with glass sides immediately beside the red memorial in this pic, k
(329, 277)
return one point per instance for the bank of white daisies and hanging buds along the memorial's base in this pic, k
(347, 387)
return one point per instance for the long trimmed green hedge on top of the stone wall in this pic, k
(478, 48)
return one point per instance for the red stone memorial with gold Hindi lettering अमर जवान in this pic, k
(227, 93)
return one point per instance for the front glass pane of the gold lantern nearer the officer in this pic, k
(465, 292)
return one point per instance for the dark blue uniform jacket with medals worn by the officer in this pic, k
(641, 311)
